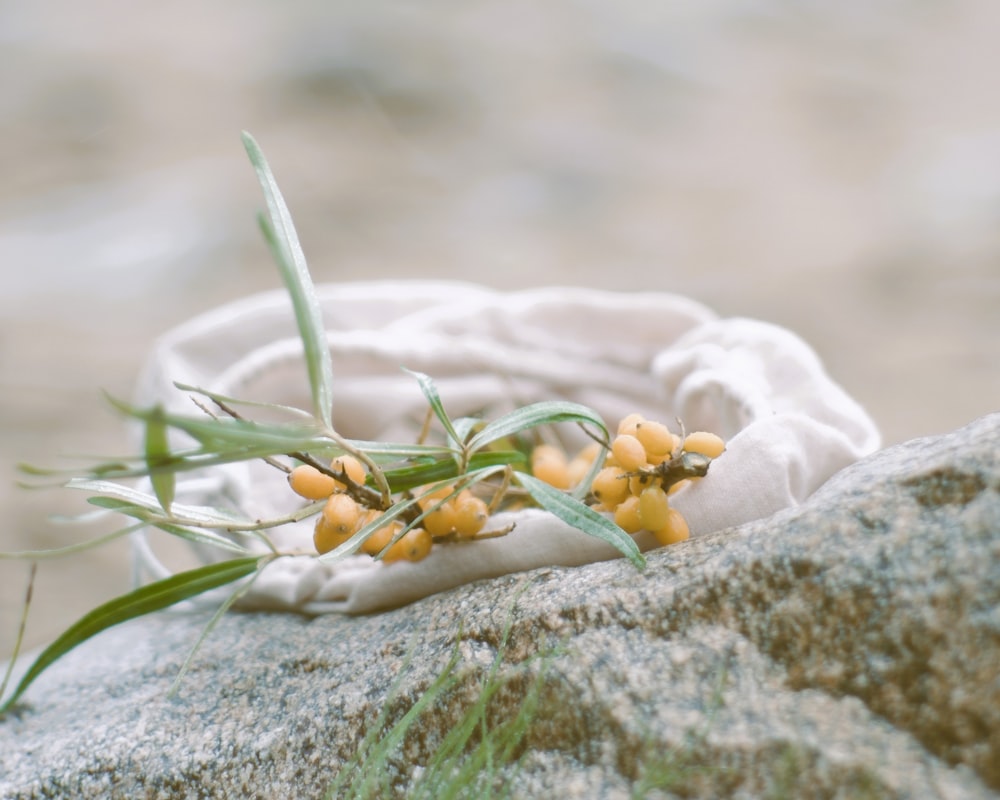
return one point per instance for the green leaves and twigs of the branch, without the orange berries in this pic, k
(473, 453)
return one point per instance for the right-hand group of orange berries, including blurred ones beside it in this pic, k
(647, 463)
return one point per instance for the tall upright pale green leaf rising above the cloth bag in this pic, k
(279, 231)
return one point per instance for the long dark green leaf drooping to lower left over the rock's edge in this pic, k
(144, 600)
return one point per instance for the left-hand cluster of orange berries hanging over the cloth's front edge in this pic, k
(447, 514)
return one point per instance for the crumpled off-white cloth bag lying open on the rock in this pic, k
(788, 426)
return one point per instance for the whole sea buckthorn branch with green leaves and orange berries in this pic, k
(391, 501)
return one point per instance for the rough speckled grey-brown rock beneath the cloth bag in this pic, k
(847, 648)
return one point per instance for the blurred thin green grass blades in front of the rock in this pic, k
(480, 754)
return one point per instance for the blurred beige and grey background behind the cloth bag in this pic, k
(832, 167)
